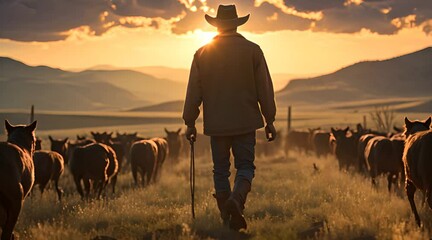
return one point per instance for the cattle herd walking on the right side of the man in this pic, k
(405, 154)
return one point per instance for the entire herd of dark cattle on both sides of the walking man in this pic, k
(97, 161)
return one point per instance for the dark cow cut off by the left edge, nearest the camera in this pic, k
(16, 174)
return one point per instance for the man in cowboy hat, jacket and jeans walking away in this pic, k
(229, 76)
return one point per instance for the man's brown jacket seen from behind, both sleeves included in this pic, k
(229, 76)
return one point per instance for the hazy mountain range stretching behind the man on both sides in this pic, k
(407, 77)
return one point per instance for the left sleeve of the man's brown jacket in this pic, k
(193, 99)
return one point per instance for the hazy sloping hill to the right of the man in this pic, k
(409, 75)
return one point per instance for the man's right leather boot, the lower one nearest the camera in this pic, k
(235, 204)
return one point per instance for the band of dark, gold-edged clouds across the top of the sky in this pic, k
(53, 20)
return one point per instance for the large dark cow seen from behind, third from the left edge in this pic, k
(90, 163)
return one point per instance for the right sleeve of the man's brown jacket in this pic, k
(264, 87)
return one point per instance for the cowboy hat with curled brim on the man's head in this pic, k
(226, 17)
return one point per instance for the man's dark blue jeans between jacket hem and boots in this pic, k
(243, 149)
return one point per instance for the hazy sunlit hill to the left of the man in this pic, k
(55, 89)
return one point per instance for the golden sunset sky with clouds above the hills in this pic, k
(304, 37)
